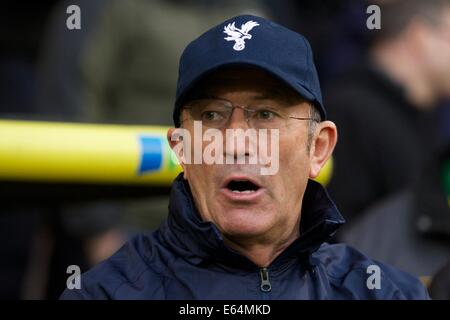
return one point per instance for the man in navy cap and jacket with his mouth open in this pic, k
(233, 232)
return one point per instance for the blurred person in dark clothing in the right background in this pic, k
(405, 76)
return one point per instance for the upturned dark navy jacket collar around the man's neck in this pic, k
(200, 242)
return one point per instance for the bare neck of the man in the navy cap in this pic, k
(263, 251)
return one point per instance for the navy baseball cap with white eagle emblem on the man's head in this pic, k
(250, 41)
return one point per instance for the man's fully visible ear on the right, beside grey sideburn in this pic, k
(322, 147)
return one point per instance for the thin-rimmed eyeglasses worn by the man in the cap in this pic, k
(215, 113)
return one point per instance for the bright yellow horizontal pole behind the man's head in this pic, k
(90, 153)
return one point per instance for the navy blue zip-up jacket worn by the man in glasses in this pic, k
(186, 258)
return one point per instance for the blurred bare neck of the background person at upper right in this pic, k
(398, 63)
